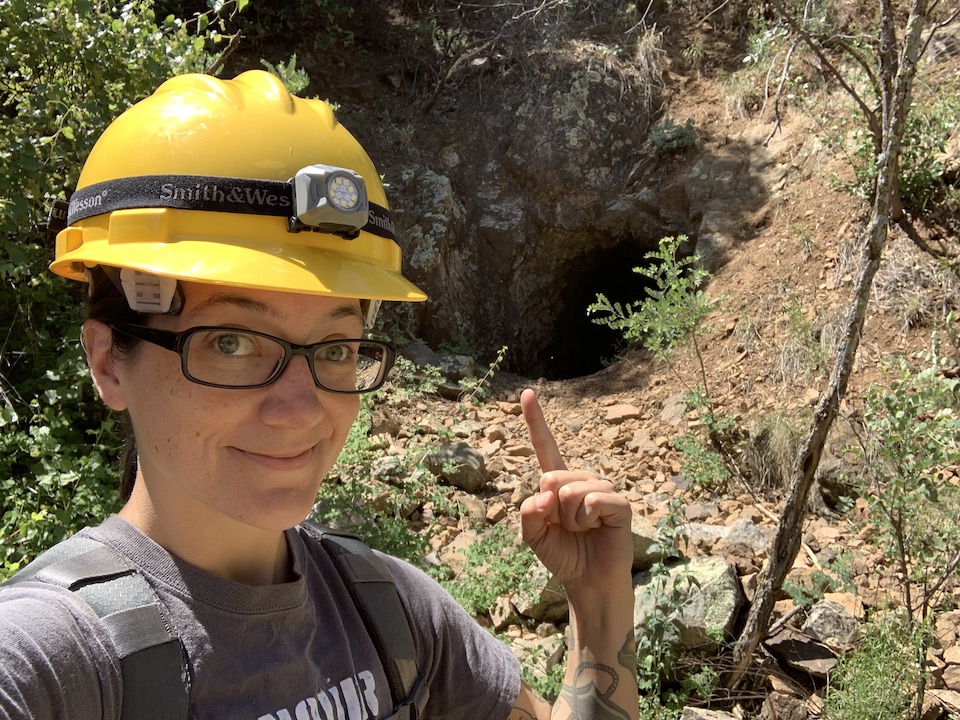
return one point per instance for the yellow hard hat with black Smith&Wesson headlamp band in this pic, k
(234, 182)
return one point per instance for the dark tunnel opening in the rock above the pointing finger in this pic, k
(579, 346)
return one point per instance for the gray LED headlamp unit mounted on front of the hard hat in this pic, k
(329, 199)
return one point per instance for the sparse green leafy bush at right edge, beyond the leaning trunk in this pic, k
(910, 436)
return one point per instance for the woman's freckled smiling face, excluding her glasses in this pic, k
(254, 455)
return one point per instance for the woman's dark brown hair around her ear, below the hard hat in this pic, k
(109, 305)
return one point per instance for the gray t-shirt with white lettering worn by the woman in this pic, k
(295, 651)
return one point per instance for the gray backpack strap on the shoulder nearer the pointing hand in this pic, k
(374, 592)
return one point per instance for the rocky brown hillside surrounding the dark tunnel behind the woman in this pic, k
(529, 176)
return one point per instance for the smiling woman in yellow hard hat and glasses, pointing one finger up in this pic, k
(226, 228)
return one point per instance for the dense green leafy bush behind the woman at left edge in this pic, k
(70, 66)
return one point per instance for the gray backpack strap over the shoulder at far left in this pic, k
(152, 663)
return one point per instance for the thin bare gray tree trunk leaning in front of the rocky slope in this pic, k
(897, 82)
